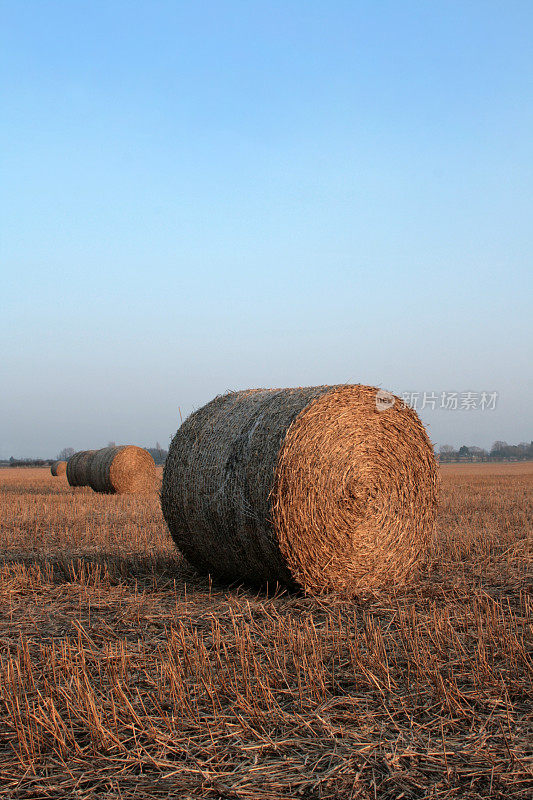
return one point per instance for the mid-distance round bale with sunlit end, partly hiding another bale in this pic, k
(122, 470)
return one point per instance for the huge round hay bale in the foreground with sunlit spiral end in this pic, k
(329, 488)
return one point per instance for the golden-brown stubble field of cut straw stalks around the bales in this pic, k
(125, 675)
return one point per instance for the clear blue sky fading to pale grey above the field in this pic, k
(203, 196)
